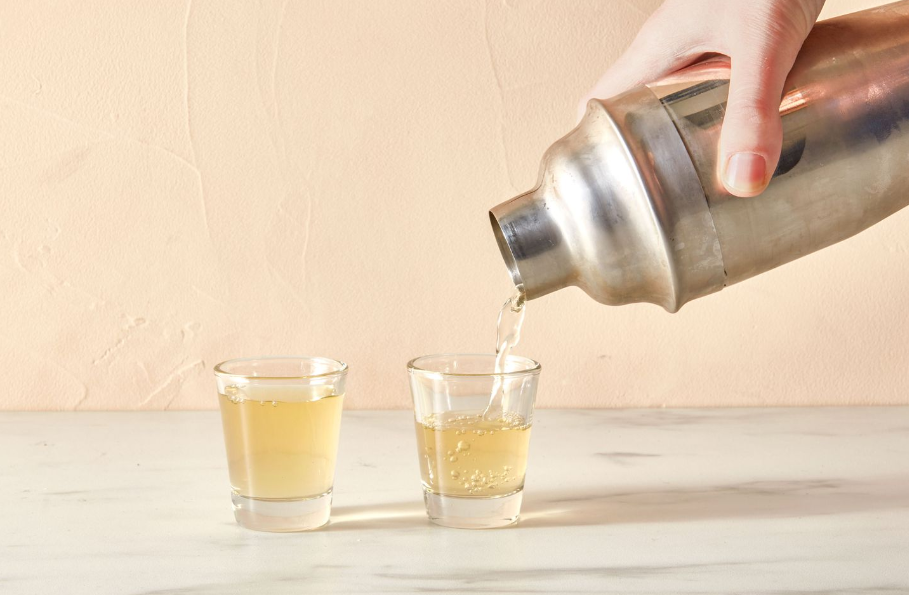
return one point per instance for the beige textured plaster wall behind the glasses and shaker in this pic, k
(182, 183)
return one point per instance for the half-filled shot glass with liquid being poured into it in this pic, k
(473, 433)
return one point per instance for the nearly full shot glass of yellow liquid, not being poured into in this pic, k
(282, 418)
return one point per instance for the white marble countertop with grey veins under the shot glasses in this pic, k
(757, 501)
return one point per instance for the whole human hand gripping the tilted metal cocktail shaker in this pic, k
(761, 38)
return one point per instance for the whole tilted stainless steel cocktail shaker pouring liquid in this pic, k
(629, 206)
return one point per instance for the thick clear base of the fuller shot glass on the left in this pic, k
(282, 516)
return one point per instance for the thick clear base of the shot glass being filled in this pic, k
(473, 513)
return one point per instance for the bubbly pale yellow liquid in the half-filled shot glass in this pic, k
(469, 455)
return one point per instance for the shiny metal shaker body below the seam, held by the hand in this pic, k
(845, 159)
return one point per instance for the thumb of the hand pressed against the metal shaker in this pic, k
(752, 132)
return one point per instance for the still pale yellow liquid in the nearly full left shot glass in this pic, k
(280, 446)
